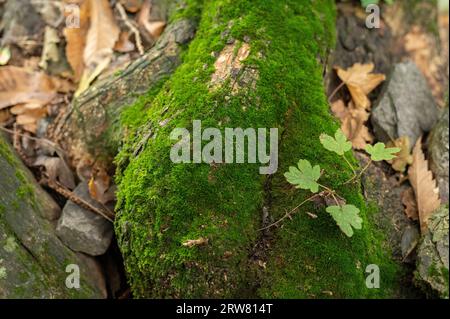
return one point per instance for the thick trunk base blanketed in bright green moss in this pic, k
(162, 204)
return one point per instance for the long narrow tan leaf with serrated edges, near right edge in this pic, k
(425, 188)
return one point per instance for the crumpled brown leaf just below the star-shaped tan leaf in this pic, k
(352, 123)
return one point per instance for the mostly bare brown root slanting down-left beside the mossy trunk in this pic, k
(91, 128)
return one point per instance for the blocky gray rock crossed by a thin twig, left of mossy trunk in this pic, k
(83, 230)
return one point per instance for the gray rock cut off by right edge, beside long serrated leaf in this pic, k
(438, 149)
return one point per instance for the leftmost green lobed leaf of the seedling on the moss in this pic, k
(305, 176)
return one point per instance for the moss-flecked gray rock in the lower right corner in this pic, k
(432, 255)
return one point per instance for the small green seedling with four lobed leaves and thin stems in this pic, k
(306, 176)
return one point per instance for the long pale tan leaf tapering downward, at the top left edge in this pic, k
(101, 37)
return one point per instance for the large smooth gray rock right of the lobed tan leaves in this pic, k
(406, 106)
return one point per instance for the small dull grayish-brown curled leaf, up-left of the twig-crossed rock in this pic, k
(57, 170)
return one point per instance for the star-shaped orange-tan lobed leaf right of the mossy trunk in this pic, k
(360, 82)
